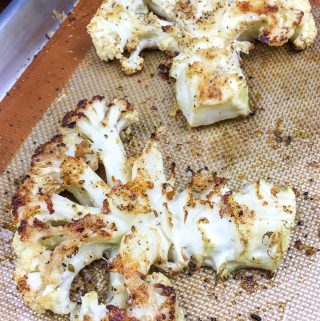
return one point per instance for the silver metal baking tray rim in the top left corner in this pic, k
(25, 27)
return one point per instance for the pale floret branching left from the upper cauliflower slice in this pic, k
(127, 25)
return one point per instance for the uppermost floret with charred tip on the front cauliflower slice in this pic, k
(102, 128)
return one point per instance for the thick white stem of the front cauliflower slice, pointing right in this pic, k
(231, 230)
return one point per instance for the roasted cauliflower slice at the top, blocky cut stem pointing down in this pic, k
(208, 37)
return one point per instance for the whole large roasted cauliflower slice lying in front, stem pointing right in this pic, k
(135, 219)
